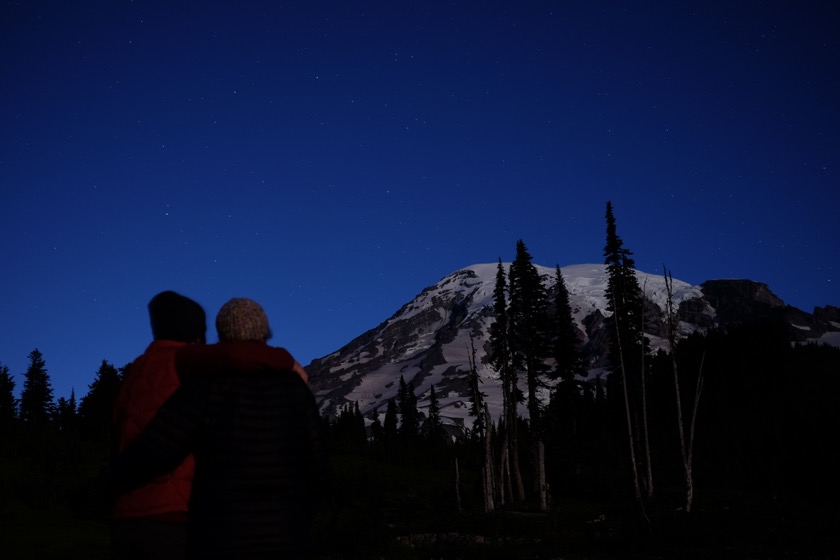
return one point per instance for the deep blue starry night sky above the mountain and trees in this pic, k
(332, 159)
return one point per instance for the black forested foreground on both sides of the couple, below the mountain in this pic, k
(765, 471)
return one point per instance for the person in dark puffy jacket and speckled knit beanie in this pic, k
(253, 426)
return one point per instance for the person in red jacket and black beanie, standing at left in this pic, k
(150, 522)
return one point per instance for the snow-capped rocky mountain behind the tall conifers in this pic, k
(429, 340)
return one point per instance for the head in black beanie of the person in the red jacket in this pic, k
(175, 317)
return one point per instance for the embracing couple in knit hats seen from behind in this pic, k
(219, 447)
